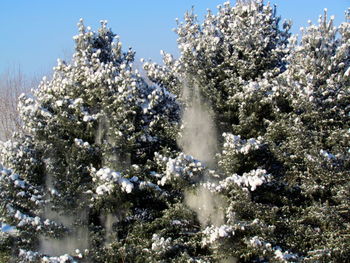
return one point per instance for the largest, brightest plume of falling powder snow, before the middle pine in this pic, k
(199, 139)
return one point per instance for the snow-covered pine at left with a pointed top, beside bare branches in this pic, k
(83, 164)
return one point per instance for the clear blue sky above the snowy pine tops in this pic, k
(35, 33)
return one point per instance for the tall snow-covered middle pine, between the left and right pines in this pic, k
(236, 74)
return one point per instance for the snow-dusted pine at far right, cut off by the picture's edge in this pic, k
(311, 141)
